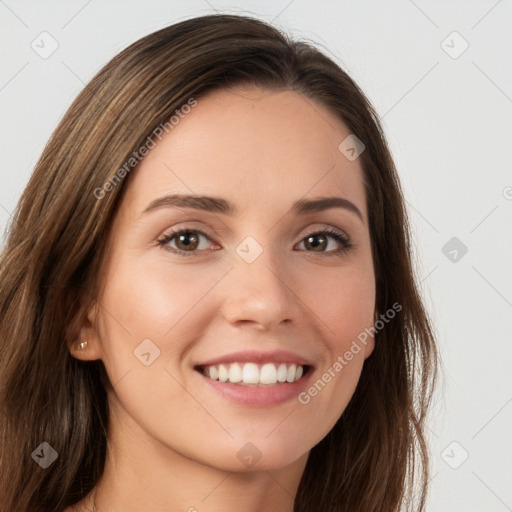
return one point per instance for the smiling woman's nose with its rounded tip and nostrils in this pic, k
(260, 294)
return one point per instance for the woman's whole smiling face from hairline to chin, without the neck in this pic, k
(254, 280)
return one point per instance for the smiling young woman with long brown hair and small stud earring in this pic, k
(207, 294)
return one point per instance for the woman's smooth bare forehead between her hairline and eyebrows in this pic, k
(256, 147)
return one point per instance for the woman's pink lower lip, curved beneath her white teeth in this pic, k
(259, 396)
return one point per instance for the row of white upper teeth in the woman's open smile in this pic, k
(267, 374)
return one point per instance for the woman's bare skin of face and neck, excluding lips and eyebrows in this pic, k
(173, 441)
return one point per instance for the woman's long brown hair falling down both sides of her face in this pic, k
(375, 458)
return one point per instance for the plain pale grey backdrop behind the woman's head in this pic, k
(447, 112)
